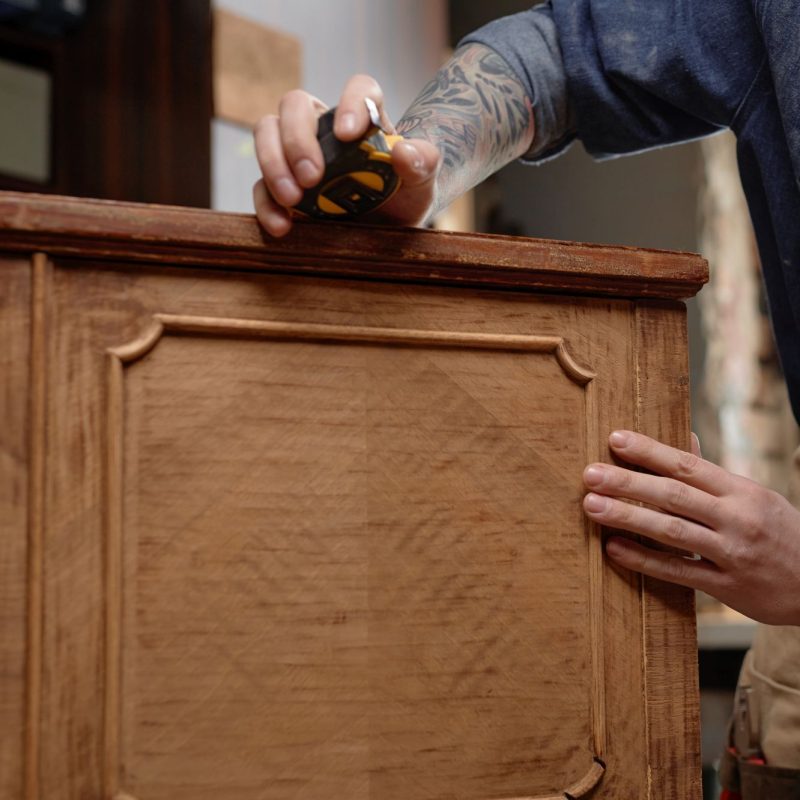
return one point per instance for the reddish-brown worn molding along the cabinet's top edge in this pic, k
(132, 232)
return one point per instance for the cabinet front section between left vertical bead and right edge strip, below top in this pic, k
(311, 537)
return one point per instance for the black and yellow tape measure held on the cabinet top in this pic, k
(359, 176)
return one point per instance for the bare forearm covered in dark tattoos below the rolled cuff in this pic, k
(478, 114)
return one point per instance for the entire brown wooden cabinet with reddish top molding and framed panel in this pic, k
(302, 519)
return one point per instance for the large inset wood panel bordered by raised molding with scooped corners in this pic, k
(340, 599)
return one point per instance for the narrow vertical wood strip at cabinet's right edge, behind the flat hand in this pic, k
(669, 614)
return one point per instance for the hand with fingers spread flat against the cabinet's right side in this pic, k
(745, 539)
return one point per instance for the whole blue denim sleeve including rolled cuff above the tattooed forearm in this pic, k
(629, 75)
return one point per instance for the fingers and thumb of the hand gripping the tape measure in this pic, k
(291, 159)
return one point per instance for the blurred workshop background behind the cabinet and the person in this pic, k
(155, 101)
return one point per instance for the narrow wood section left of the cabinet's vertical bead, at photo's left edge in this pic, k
(15, 309)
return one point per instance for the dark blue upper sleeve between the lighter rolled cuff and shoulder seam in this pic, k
(646, 73)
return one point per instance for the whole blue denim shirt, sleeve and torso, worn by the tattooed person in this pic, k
(640, 74)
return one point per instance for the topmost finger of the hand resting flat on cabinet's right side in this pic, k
(642, 451)
